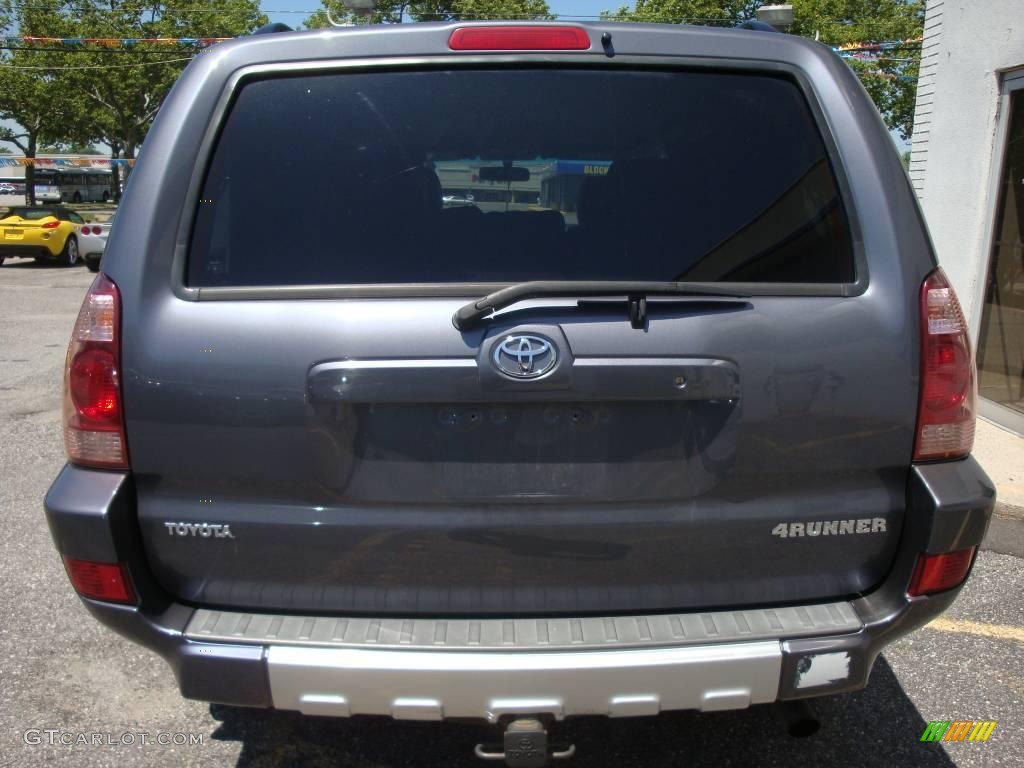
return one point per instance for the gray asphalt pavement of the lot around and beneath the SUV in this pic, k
(65, 679)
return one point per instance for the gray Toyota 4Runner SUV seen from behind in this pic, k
(672, 410)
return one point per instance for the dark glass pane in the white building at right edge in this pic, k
(1001, 343)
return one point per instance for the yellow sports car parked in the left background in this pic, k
(44, 233)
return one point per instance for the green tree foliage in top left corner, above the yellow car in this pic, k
(111, 96)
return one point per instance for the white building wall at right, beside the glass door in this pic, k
(968, 46)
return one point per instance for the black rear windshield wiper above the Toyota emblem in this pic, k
(471, 316)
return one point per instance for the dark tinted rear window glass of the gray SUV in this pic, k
(509, 176)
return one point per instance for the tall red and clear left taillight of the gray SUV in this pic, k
(94, 416)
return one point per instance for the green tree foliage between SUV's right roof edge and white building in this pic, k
(890, 79)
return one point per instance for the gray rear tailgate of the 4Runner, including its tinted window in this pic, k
(313, 434)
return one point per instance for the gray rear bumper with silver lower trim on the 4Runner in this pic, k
(426, 669)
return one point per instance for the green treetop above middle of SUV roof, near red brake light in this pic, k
(388, 12)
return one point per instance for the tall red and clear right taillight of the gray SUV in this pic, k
(949, 379)
